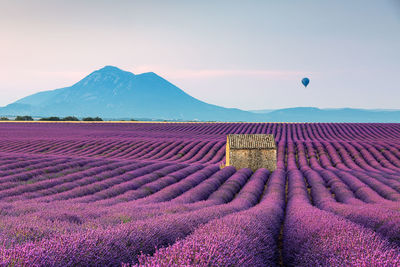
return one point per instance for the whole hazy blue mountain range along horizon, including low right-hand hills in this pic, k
(112, 93)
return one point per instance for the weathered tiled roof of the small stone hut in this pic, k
(251, 141)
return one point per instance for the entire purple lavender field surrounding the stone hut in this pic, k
(154, 194)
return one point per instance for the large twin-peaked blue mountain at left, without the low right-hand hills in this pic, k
(113, 93)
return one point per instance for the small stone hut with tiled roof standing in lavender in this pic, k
(252, 151)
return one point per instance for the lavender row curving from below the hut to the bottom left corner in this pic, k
(124, 243)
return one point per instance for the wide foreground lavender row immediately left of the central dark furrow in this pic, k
(246, 238)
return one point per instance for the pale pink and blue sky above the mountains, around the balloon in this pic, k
(243, 54)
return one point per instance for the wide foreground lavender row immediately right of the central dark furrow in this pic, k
(313, 237)
